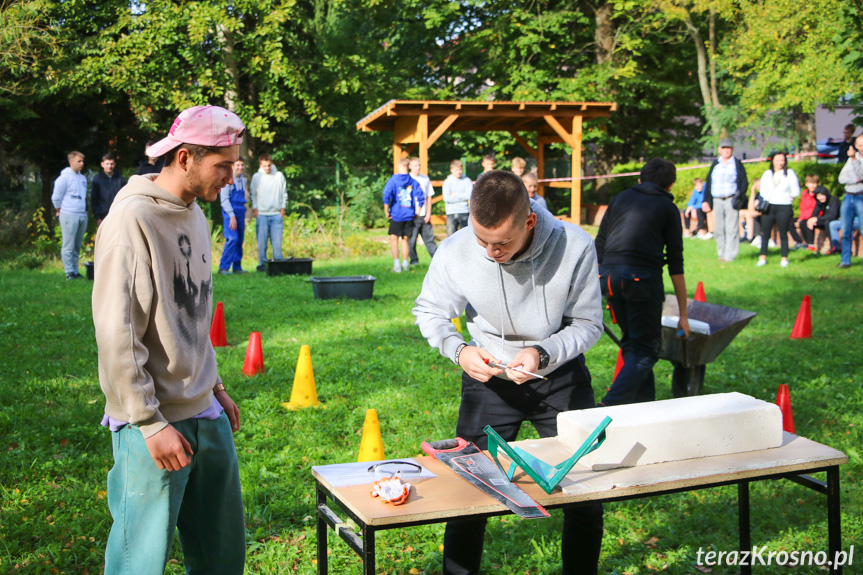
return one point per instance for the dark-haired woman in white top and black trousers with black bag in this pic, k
(779, 186)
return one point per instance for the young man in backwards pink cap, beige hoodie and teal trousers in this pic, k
(175, 464)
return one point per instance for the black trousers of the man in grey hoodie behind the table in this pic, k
(505, 405)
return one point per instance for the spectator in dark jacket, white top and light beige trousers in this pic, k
(725, 180)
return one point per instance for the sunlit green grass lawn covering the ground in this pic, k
(368, 354)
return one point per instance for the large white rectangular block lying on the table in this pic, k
(674, 429)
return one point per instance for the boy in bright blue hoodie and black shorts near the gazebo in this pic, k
(402, 196)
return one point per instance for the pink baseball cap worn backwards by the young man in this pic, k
(203, 126)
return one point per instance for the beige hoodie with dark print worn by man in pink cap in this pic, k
(152, 307)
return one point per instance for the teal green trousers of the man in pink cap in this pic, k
(203, 500)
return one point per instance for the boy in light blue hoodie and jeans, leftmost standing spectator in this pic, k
(70, 200)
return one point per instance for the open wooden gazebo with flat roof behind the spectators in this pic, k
(419, 123)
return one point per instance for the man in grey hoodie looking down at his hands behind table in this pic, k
(529, 285)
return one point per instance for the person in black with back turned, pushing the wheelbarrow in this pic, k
(639, 234)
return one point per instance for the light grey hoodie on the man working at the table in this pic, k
(548, 296)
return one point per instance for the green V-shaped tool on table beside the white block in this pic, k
(546, 476)
